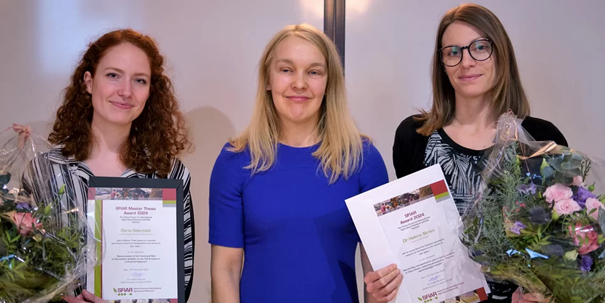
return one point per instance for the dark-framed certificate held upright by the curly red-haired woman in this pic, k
(140, 225)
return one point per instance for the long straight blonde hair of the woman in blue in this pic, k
(341, 149)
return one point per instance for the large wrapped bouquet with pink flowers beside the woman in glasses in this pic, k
(539, 219)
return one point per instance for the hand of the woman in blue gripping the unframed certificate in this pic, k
(383, 284)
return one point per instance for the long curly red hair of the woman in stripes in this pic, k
(157, 136)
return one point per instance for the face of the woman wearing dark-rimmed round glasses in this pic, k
(470, 78)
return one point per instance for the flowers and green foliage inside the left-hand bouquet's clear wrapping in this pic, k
(35, 263)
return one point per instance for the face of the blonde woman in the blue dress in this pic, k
(298, 77)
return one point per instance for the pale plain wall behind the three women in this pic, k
(213, 48)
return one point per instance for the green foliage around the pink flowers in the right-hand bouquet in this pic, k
(538, 257)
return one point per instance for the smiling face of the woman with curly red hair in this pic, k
(120, 86)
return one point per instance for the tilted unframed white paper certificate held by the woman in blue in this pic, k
(412, 222)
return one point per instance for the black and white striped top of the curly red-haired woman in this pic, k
(56, 166)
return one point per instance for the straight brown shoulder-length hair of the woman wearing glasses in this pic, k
(507, 92)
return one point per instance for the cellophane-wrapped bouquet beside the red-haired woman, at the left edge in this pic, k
(47, 243)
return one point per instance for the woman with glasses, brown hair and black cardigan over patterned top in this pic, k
(475, 80)
